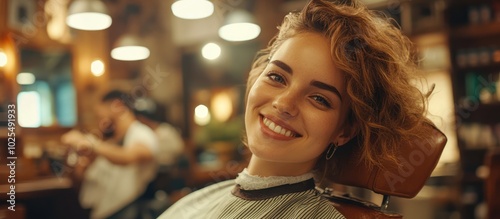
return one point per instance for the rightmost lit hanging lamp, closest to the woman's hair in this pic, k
(239, 26)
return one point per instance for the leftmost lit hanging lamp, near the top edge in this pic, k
(88, 15)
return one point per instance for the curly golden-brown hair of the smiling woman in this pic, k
(380, 67)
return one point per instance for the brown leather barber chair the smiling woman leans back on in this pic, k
(419, 158)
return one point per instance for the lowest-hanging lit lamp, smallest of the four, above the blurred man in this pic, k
(129, 48)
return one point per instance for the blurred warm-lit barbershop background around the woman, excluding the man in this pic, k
(188, 59)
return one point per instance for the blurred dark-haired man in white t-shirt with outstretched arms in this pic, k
(122, 166)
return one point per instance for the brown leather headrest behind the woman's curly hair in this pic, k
(417, 161)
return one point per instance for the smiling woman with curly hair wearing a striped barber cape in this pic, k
(336, 73)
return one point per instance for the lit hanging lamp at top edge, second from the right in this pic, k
(192, 9)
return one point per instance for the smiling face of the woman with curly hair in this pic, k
(298, 105)
